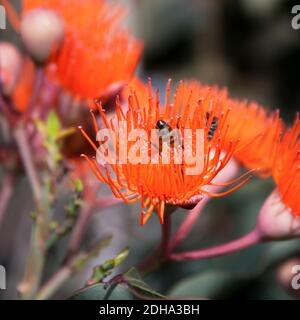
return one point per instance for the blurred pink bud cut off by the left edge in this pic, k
(10, 66)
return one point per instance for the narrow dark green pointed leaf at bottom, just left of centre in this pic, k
(139, 287)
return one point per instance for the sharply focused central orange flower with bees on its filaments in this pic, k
(159, 184)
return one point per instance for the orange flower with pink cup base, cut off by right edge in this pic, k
(279, 216)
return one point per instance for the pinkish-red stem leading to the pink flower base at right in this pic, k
(252, 238)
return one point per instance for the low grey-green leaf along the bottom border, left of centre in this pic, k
(101, 292)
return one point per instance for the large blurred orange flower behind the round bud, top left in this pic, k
(97, 52)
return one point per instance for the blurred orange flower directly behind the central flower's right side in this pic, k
(257, 129)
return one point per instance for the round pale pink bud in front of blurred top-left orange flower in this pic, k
(42, 32)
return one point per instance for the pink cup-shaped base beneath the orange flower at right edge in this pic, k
(276, 221)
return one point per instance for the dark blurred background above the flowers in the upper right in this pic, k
(248, 46)
